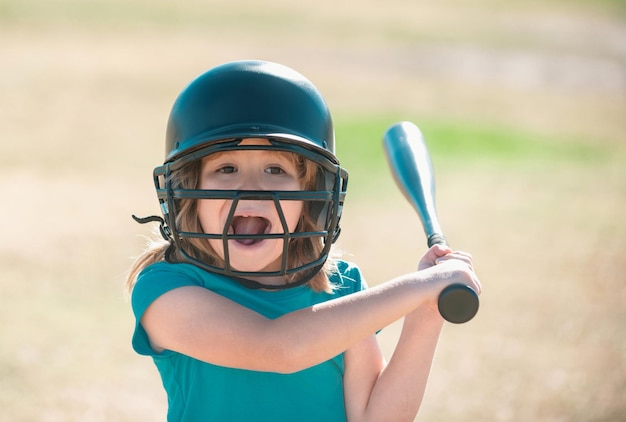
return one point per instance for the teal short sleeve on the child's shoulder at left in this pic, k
(153, 282)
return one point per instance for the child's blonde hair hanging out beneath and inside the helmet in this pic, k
(301, 250)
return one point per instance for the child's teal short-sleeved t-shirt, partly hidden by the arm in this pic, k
(199, 391)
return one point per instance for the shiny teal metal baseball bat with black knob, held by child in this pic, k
(412, 170)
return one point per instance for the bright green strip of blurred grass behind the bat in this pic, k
(359, 144)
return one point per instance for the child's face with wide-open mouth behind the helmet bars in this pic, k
(250, 170)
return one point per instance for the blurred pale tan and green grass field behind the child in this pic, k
(523, 105)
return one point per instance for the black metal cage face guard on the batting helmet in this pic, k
(323, 204)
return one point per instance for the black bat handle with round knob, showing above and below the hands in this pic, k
(458, 303)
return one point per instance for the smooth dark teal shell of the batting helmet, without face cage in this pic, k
(249, 99)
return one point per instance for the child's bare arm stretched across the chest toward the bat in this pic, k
(211, 328)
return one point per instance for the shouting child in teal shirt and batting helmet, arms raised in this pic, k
(243, 308)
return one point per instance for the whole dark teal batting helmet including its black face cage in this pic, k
(252, 99)
